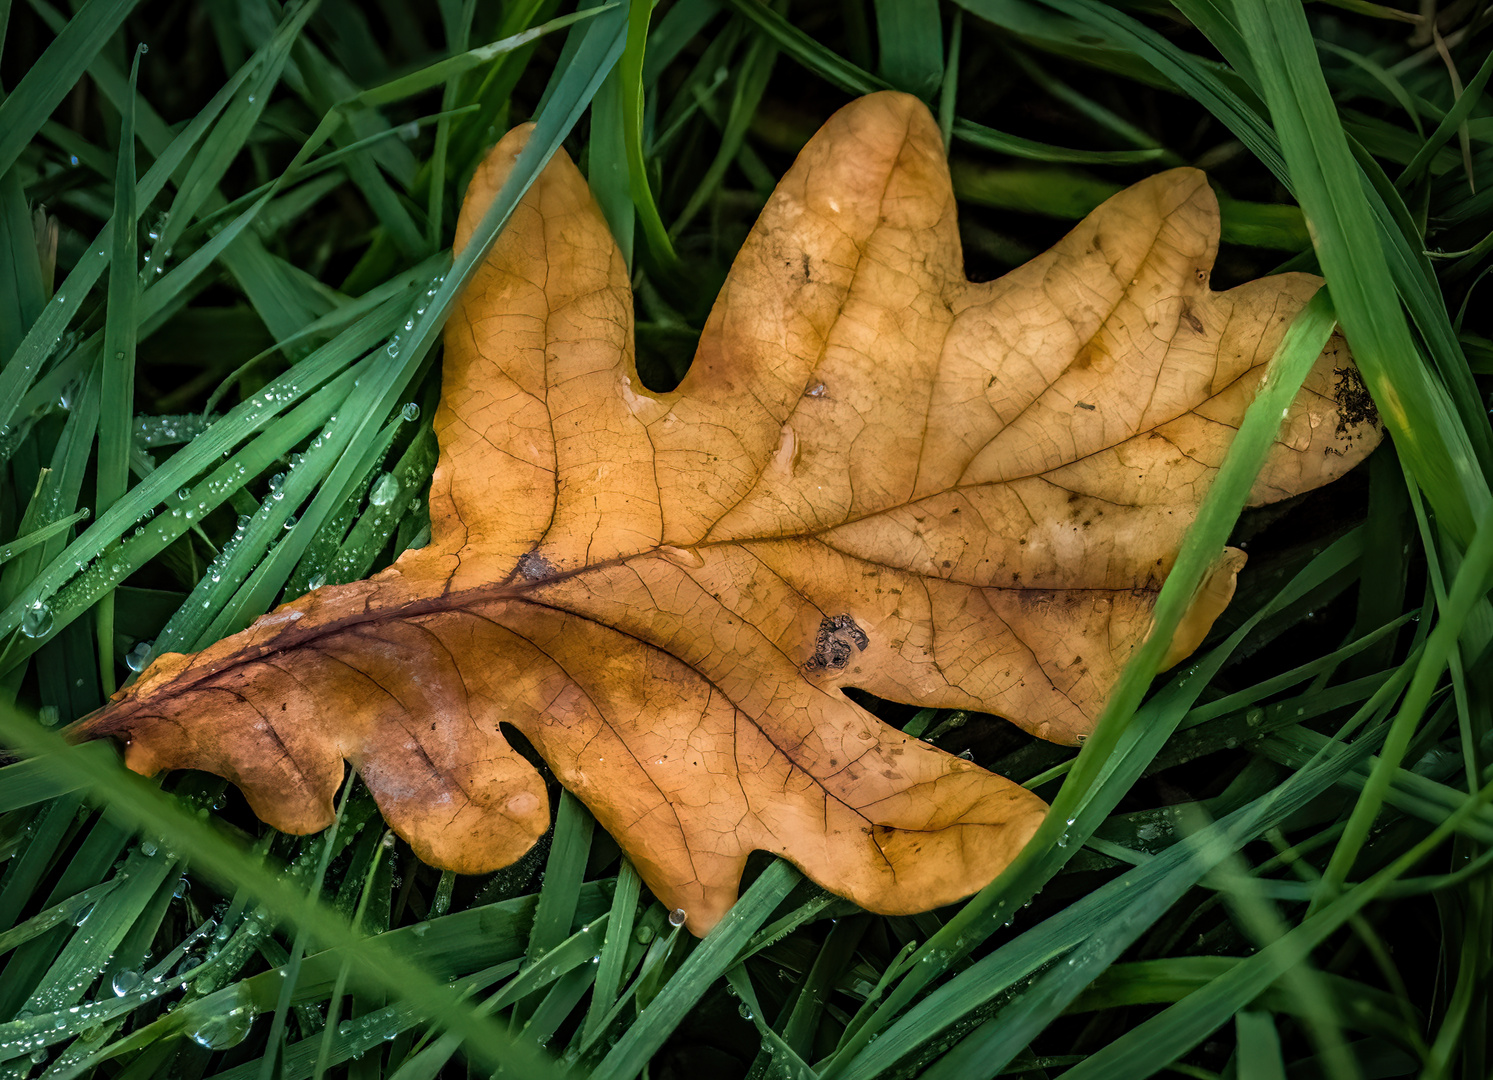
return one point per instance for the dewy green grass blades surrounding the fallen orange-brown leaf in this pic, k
(1276, 864)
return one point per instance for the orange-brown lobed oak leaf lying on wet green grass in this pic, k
(876, 474)
